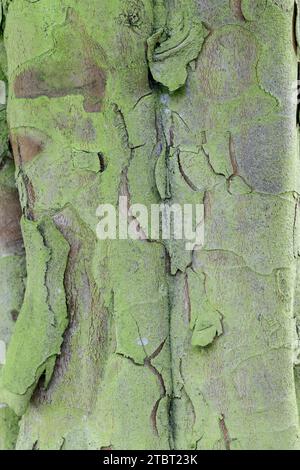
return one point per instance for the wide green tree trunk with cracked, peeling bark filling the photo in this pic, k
(141, 344)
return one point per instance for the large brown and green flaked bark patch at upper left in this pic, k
(72, 68)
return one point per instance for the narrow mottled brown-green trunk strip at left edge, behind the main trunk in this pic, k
(12, 262)
